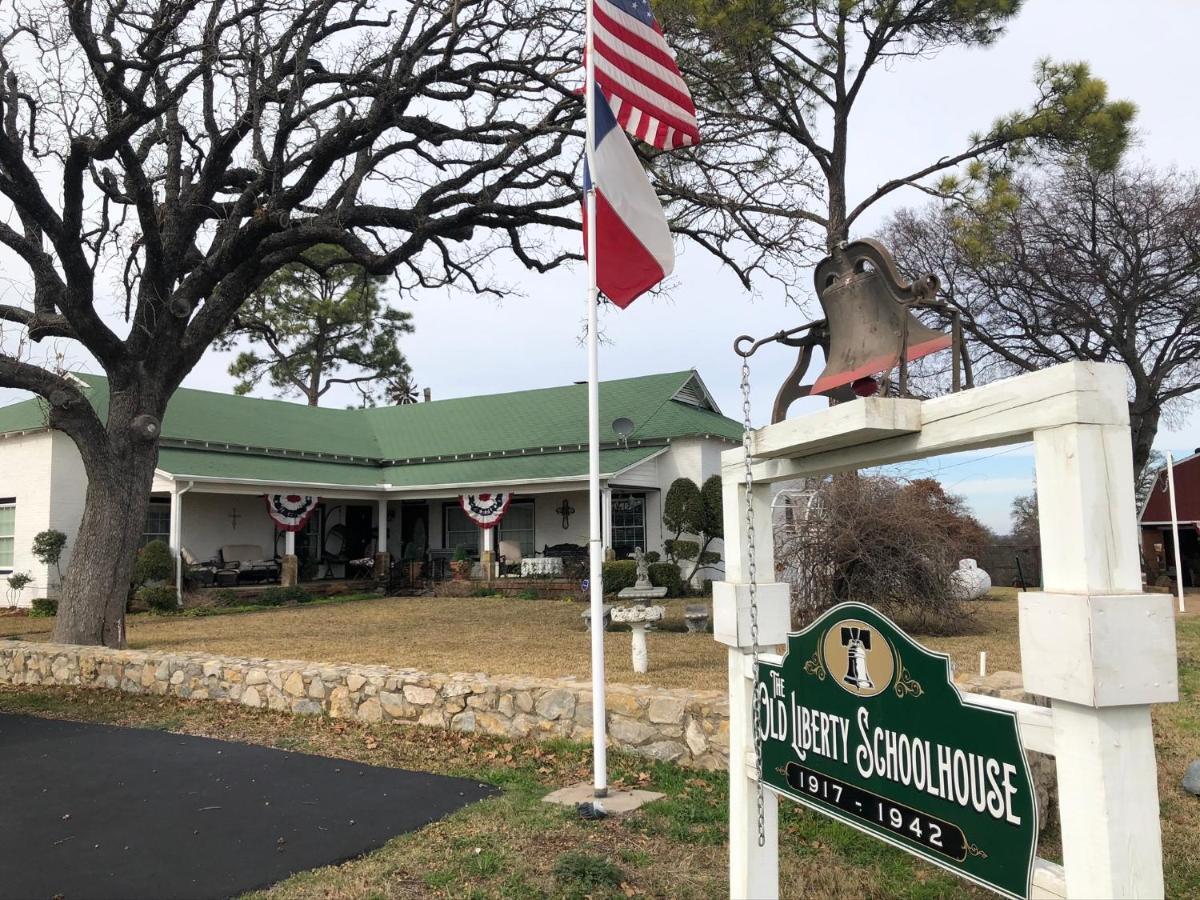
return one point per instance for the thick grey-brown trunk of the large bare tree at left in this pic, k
(92, 607)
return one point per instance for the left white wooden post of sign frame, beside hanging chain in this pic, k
(754, 871)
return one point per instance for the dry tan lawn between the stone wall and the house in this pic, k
(499, 635)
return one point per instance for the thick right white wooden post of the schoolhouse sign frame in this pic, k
(1102, 652)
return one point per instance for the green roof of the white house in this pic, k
(518, 436)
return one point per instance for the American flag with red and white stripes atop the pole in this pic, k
(638, 74)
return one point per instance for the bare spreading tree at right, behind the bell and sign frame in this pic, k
(1069, 263)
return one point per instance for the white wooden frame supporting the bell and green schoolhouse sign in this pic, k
(1102, 651)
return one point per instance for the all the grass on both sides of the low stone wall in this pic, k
(513, 847)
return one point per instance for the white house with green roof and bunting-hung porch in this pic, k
(387, 478)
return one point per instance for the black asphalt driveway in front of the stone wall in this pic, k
(103, 812)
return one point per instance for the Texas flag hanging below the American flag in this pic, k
(634, 249)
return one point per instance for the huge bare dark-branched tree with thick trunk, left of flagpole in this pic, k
(160, 159)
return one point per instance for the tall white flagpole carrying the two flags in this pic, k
(596, 545)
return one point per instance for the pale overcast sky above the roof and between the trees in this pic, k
(905, 118)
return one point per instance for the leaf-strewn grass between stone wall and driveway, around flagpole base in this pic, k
(514, 845)
